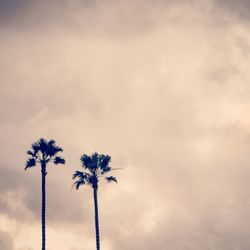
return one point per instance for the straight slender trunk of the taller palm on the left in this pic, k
(43, 170)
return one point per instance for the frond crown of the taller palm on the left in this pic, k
(42, 152)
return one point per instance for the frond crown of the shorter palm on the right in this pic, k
(95, 166)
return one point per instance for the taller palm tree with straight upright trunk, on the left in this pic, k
(42, 152)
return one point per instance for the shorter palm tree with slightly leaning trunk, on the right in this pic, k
(95, 166)
